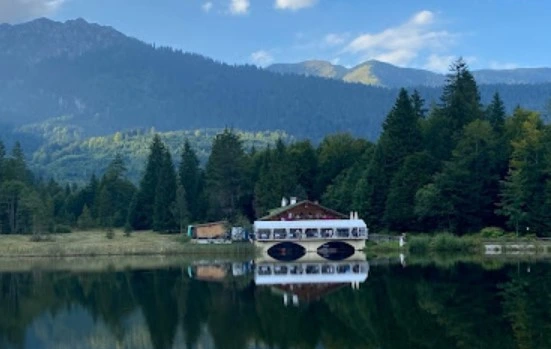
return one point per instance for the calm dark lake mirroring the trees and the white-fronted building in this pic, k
(382, 303)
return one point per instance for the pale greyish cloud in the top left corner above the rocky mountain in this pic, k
(12, 11)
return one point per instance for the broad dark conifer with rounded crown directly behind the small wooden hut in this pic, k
(225, 181)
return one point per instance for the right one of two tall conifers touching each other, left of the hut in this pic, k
(165, 196)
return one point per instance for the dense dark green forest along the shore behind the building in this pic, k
(457, 167)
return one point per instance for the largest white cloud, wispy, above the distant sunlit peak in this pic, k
(402, 44)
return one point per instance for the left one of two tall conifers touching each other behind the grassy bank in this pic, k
(142, 217)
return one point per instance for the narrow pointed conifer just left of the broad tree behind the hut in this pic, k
(190, 178)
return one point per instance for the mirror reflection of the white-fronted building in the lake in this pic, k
(311, 280)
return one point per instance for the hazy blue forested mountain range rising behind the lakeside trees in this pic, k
(91, 80)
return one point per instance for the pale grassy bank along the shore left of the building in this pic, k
(95, 243)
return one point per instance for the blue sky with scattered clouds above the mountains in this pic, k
(421, 34)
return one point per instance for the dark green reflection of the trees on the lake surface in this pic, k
(400, 308)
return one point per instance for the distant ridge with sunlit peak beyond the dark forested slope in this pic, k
(379, 73)
